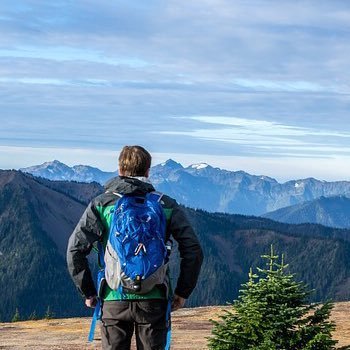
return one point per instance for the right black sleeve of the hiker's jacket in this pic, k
(191, 254)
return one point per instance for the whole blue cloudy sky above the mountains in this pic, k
(256, 85)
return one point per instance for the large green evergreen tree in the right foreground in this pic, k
(271, 313)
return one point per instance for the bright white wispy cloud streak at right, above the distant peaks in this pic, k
(266, 138)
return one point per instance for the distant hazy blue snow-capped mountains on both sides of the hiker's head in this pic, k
(213, 189)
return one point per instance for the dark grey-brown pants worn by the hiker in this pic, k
(120, 318)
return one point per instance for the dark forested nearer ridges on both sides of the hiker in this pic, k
(37, 216)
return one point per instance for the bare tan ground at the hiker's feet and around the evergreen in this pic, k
(190, 330)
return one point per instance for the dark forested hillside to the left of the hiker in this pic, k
(33, 274)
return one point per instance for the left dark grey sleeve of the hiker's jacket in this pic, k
(87, 231)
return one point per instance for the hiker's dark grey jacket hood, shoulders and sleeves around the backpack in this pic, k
(93, 227)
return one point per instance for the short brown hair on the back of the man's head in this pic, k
(134, 161)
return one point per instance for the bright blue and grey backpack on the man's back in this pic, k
(136, 254)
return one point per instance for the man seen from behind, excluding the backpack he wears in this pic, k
(122, 312)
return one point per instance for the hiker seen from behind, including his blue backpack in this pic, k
(133, 300)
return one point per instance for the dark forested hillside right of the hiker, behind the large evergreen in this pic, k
(318, 255)
